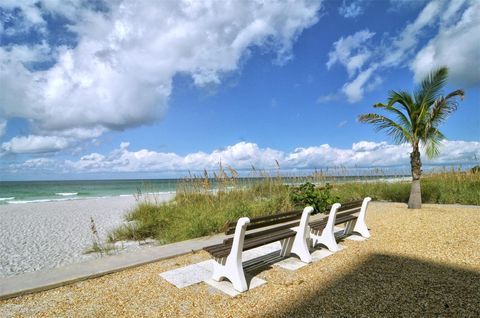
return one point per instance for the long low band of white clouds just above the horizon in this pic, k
(244, 155)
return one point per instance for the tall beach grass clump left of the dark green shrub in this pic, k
(199, 209)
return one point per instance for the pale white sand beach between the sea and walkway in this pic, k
(45, 235)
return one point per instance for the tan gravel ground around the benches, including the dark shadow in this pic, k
(417, 263)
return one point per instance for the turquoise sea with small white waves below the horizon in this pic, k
(17, 192)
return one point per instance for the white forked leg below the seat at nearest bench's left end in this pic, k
(232, 270)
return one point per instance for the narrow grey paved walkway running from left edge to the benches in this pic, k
(46, 279)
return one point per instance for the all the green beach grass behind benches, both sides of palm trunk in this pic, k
(204, 205)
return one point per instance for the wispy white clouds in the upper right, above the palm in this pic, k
(454, 31)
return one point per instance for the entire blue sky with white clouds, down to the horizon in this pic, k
(154, 89)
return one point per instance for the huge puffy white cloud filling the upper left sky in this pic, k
(119, 74)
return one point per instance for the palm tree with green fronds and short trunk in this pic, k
(417, 120)
